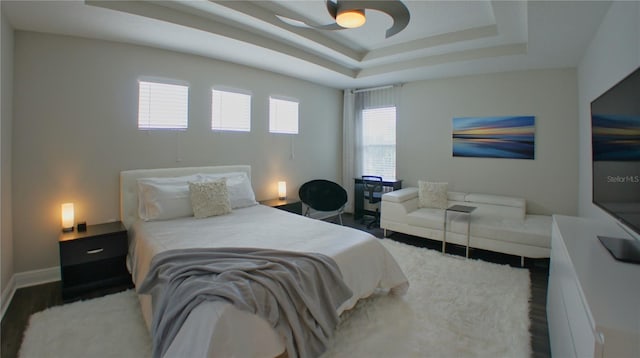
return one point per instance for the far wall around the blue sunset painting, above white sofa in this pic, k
(424, 145)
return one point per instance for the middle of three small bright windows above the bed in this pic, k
(230, 111)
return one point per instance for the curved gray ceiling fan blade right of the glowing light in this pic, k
(394, 8)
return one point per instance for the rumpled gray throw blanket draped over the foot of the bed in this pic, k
(296, 293)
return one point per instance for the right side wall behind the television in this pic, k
(613, 53)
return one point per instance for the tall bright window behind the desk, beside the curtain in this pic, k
(379, 142)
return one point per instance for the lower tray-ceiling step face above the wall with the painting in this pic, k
(465, 55)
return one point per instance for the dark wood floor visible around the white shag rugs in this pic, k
(29, 300)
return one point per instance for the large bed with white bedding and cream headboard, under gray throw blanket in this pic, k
(220, 329)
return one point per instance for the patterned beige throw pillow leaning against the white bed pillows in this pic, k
(209, 198)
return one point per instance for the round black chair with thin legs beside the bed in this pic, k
(323, 195)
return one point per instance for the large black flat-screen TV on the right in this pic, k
(615, 139)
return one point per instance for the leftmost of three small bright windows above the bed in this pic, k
(162, 105)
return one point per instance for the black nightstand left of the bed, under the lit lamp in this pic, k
(94, 259)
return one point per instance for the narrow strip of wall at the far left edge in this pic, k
(6, 80)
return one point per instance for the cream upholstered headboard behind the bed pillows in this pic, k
(129, 184)
